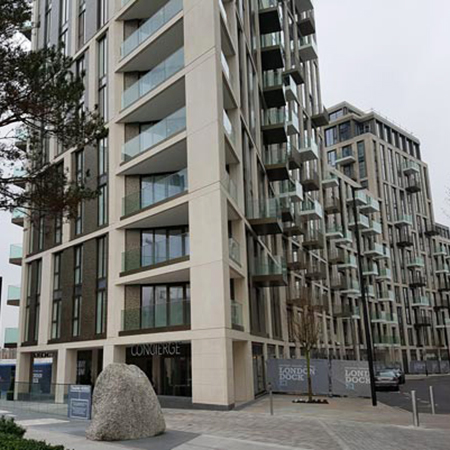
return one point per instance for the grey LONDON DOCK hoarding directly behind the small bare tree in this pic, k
(291, 375)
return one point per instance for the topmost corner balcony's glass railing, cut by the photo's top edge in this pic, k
(151, 26)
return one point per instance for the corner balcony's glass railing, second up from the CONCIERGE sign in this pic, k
(164, 251)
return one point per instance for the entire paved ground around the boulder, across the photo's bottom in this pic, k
(344, 424)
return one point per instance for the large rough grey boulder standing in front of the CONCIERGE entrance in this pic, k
(124, 406)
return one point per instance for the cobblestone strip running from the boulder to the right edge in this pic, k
(308, 433)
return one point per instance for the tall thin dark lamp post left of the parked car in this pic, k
(364, 302)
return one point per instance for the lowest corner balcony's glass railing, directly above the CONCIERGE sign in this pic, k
(159, 317)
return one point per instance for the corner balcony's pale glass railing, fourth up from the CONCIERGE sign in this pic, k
(155, 134)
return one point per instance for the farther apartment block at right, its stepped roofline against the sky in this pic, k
(405, 252)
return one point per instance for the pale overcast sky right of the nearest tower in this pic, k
(393, 56)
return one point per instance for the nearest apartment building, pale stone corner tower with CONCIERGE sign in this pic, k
(210, 183)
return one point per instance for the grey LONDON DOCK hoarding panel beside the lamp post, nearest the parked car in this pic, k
(350, 378)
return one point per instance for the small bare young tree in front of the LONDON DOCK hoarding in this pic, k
(307, 330)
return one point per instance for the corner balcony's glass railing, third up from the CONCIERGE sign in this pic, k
(162, 189)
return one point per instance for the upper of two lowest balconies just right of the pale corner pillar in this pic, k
(265, 217)
